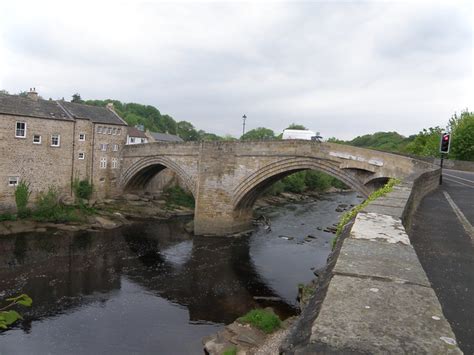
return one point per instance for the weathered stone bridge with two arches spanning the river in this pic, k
(226, 178)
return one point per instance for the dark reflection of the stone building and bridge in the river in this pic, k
(214, 278)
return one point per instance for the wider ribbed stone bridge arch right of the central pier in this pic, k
(247, 191)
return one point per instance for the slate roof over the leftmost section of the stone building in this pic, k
(24, 106)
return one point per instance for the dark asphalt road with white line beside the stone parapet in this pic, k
(443, 237)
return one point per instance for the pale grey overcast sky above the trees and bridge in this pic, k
(338, 67)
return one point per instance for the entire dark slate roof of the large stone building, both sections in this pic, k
(61, 110)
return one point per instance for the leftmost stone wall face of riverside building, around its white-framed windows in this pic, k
(39, 164)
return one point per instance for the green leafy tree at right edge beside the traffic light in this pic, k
(462, 139)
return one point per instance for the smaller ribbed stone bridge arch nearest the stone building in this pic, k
(139, 174)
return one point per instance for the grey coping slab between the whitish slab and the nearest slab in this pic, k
(393, 262)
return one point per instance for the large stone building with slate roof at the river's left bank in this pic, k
(51, 143)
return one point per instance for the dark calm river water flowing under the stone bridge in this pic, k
(151, 288)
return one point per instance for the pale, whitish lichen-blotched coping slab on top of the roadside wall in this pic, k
(374, 226)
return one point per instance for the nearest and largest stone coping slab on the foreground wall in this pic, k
(366, 316)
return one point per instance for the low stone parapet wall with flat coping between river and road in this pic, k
(374, 296)
